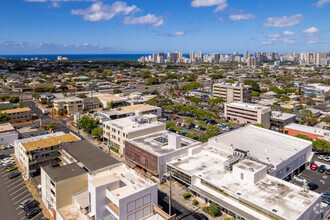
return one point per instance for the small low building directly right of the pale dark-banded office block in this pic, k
(280, 119)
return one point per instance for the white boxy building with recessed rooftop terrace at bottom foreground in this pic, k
(119, 192)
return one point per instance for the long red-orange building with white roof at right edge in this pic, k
(312, 132)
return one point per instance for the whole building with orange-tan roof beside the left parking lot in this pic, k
(42, 150)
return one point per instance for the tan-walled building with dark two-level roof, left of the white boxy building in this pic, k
(61, 183)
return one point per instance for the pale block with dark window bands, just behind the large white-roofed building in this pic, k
(246, 113)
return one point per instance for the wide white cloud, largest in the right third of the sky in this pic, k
(283, 21)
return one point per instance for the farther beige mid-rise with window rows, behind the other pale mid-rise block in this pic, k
(232, 92)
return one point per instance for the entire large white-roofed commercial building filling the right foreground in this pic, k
(242, 172)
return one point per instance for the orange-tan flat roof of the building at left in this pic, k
(48, 142)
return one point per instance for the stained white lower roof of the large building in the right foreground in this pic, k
(269, 193)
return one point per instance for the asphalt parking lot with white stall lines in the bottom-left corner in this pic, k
(12, 193)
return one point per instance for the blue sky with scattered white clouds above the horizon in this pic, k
(147, 26)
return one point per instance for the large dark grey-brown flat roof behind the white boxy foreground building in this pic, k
(91, 156)
